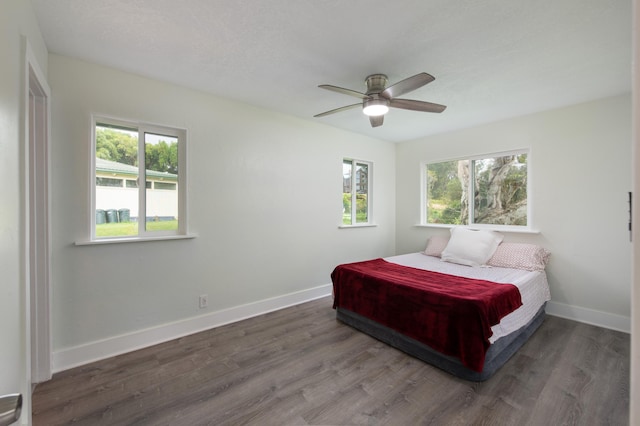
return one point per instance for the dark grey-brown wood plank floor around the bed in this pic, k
(299, 366)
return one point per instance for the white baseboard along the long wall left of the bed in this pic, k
(67, 358)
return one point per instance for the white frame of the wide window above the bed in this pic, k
(528, 228)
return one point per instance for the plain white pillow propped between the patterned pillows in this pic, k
(471, 247)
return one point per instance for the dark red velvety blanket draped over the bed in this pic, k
(451, 314)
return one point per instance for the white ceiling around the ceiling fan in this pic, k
(492, 59)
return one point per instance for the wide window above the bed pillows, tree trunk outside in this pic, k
(488, 190)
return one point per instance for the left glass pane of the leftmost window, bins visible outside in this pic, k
(116, 160)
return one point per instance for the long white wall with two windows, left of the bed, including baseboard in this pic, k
(264, 199)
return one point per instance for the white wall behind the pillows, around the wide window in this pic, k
(581, 172)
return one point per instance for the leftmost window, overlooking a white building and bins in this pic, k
(127, 154)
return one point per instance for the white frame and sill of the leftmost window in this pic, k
(143, 234)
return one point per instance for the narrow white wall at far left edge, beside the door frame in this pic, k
(17, 20)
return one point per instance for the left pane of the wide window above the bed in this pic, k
(447, 188)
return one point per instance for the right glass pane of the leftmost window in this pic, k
(161, 165)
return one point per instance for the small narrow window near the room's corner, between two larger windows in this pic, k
(356, 192)
